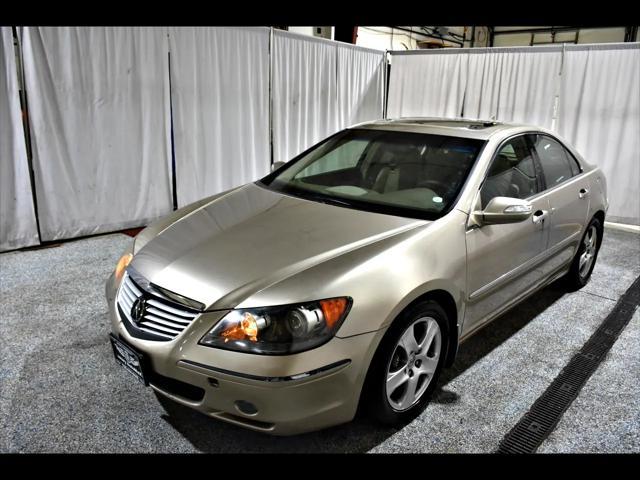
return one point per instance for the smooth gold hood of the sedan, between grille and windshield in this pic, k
(252, 238)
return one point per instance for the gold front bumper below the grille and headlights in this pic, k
(292, 394)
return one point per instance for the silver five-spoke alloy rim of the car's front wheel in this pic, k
(413, 363)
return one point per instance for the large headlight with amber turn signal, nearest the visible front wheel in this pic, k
(279, 330)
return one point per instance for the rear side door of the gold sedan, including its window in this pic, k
(567, 190)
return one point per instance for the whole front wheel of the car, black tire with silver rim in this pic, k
(405, 369)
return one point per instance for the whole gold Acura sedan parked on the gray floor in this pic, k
(348, 277)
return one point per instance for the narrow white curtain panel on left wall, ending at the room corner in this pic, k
(360, 85)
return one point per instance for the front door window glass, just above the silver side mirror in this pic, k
(511, 174)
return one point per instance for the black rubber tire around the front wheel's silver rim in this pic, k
(375, 399)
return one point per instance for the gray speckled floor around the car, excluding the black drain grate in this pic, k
(61, 391)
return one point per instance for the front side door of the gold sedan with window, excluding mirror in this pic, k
(502, 260)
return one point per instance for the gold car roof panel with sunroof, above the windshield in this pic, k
(460, 127)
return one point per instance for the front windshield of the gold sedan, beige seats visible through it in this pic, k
(408, 174)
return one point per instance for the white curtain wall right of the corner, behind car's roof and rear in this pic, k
(588, 94)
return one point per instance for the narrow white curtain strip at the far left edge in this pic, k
(17, 218)
